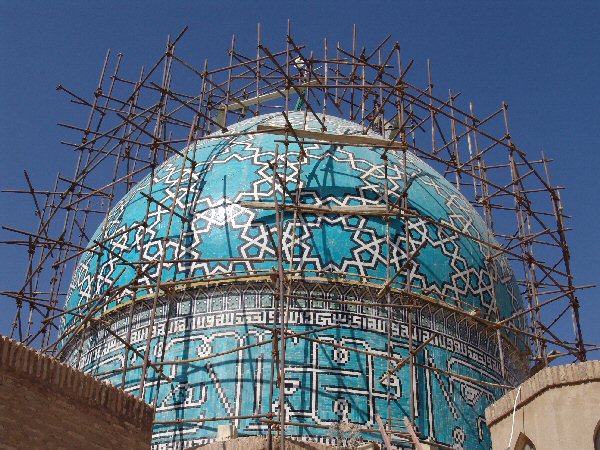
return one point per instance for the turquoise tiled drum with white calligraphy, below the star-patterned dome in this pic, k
(323, 384)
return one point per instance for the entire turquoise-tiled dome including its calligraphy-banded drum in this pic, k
(206, 327)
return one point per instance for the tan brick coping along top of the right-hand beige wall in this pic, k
(548, 378)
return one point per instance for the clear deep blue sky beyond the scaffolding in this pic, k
(539, 57)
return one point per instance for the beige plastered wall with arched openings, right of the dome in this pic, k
(558, 408)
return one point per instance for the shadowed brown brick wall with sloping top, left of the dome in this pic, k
(46, 404)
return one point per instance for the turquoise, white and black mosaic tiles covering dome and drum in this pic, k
(231, 170)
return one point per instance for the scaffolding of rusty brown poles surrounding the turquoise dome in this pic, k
(133, 125)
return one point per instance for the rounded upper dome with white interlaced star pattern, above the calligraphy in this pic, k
(213, 223)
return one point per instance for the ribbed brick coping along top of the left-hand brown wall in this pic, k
(79, 387)
